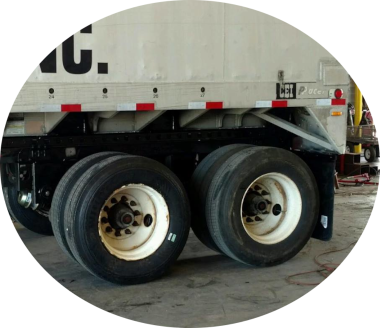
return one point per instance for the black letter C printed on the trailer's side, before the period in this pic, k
(69, 20)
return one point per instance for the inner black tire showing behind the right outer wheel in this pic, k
(200, 184)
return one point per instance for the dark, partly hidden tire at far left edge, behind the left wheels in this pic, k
(28, 218)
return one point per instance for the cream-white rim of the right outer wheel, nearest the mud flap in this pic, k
(283, 207)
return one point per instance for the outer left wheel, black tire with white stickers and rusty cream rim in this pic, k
(128, 220)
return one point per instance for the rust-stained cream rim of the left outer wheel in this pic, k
(145, 233)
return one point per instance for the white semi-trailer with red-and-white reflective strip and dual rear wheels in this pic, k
(124, 122)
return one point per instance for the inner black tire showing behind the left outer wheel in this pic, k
(62, 193)
